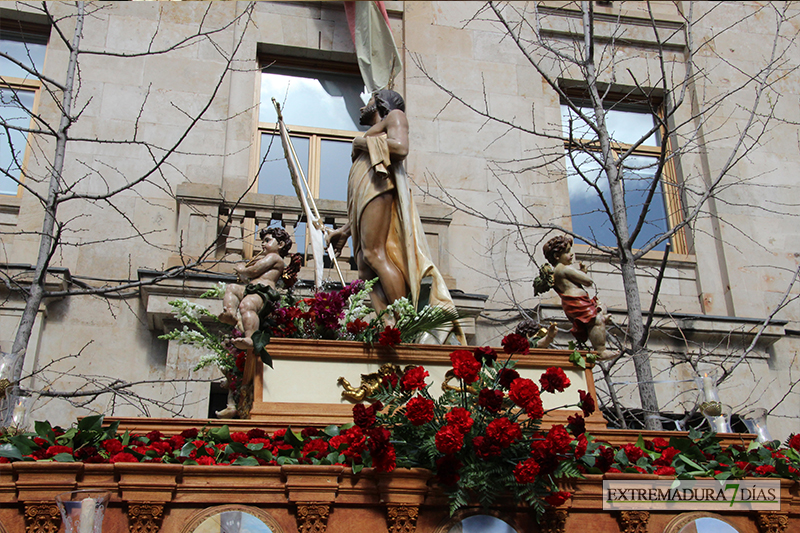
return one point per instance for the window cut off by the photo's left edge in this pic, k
(19, 89)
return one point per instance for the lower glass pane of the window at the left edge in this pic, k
(13, 106)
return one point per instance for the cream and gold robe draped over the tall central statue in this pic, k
(373, 174)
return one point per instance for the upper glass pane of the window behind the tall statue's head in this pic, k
(318, 99)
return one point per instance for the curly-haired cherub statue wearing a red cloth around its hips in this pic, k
(586, 314)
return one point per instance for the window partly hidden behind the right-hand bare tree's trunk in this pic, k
(626, 125)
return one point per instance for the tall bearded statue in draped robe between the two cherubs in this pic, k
(388, 240)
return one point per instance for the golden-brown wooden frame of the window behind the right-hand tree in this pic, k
(673, 203)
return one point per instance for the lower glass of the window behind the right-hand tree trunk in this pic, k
(588, 215)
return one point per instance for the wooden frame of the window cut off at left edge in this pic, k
(25, 84)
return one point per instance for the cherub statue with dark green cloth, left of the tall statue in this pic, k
(242, 303)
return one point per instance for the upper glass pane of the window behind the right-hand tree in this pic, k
(625, 127)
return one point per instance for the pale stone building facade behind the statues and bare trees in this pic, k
(726, 275)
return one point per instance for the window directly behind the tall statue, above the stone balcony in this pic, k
(321, 110)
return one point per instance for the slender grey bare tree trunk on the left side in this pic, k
(48, 235)
